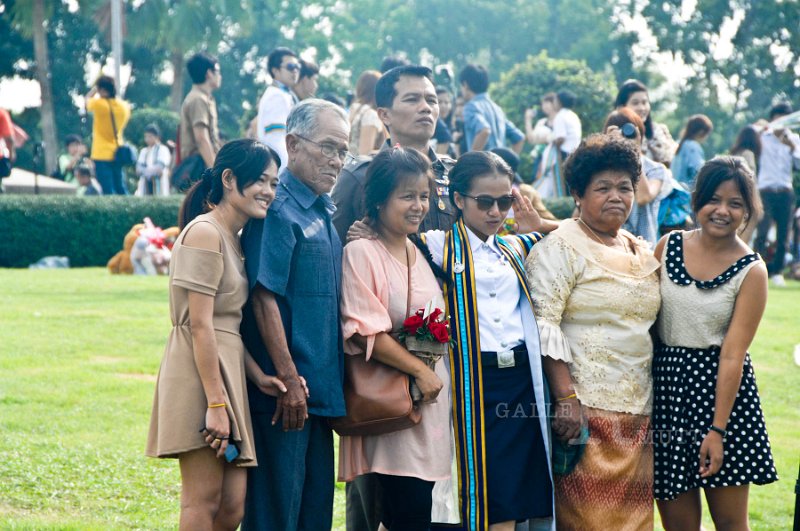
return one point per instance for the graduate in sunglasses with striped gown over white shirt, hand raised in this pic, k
(499, 411)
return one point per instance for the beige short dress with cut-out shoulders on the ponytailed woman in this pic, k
(179, 406)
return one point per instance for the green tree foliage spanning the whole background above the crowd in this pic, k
(349, 36)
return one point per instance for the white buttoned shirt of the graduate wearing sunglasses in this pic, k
(497, 291)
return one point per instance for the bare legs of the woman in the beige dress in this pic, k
(212, 492)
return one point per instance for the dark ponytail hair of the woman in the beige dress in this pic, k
(246, 158)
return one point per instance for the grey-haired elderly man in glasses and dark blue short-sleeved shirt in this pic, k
(291, 327)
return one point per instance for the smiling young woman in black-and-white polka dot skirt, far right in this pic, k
(708, 425)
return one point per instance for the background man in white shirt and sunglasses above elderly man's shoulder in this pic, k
(278, 100)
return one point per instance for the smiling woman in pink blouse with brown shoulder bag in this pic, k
(375, 284)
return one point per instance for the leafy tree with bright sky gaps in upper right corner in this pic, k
(735, 84)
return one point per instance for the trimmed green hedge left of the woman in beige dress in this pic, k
(88, 230)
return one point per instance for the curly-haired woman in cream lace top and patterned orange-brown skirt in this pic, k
(595, 293)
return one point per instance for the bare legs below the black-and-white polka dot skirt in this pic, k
(727, 505)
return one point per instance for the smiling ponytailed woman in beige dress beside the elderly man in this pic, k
(200, 411)
